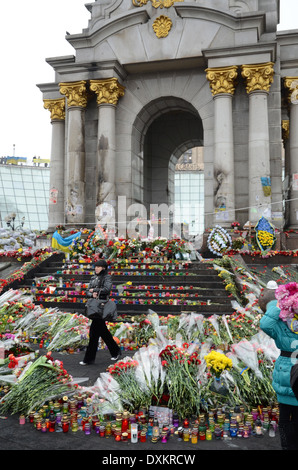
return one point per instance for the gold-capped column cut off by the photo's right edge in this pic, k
(291, 83)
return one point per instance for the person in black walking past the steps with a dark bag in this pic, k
(100, 287)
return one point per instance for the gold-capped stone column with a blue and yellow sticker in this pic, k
(259, 78)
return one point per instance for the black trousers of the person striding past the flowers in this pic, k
(99, 329)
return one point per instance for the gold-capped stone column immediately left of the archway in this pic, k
(108, 92)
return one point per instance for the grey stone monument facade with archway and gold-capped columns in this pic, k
(151, 79)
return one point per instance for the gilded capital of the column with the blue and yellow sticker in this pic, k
(258, 76)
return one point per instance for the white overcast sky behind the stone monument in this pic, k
(30, 32)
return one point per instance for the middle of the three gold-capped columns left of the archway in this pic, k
(76, 95)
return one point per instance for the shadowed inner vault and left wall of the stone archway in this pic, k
(170, 127)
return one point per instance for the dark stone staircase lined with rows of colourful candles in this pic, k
(168, 288)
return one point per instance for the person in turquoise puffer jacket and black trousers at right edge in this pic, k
(287, 341)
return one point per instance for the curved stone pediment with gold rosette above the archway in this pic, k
(135, 31)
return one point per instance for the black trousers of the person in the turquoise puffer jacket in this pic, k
(288, 426)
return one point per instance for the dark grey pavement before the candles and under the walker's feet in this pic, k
(16, 437)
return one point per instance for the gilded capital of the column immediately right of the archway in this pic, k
(222, 79)
